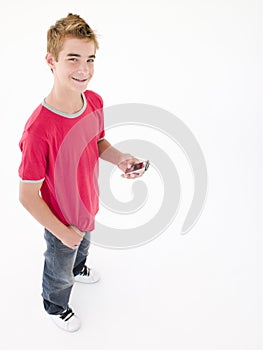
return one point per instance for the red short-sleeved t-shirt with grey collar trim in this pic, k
(61, 151)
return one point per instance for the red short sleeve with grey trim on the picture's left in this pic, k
(34, 158)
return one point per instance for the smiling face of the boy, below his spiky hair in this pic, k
(75, 65)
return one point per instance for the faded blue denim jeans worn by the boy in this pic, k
(61, 265)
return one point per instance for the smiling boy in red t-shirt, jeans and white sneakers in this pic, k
(60, 147)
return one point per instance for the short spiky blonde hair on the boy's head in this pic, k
(70, 26)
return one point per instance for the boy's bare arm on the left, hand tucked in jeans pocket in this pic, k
(30, 198)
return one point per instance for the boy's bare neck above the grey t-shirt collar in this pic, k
(66, 102)
